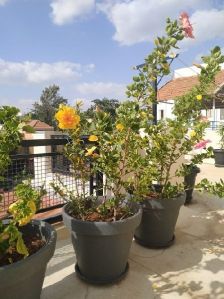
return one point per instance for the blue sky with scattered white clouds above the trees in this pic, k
(89, 47)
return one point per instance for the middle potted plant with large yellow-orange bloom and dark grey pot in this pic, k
(102, 228)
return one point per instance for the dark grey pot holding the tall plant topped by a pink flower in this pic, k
(159, 218)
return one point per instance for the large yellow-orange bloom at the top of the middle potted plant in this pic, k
(67, 118)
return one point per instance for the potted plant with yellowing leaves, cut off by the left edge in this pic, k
(25, 246)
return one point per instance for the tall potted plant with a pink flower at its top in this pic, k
(169, 140)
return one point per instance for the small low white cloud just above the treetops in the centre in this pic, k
(95, 90)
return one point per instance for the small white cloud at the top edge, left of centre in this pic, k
(65, 11)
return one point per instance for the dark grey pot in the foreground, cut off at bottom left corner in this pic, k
(24, 279)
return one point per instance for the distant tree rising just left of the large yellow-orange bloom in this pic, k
(48, 104)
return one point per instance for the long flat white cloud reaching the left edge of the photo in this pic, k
(33, 72)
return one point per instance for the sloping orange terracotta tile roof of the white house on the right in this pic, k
(178, 87)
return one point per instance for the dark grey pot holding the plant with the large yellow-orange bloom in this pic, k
(102, 248)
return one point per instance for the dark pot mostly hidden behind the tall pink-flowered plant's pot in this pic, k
(189, 182)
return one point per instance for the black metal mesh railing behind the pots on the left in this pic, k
(42, 161)
